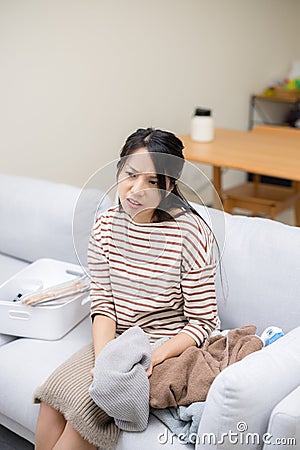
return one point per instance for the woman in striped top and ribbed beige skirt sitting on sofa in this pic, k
(151, 264)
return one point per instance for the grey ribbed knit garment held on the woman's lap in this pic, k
(121, 386)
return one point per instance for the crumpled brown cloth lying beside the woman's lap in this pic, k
(186, 379)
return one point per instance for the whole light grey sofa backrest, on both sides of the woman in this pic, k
(260, 258)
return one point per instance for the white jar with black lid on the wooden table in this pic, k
(202, 125)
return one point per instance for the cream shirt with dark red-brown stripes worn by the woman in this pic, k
(159, 276)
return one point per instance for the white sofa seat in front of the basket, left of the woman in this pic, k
(27, 363)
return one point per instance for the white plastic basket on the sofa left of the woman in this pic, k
(41, 322)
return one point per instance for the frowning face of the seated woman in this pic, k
(138, 188)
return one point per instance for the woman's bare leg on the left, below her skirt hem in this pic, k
(50, 426)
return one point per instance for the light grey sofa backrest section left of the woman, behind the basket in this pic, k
(37, 218)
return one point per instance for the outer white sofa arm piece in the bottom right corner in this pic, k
(284, 423)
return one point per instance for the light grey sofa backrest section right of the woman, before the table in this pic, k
(260, 264)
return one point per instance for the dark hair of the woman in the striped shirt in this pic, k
(166, 152)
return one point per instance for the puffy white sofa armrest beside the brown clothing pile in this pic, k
(242, 397)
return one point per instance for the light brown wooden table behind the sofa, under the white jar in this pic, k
(261, 153)
